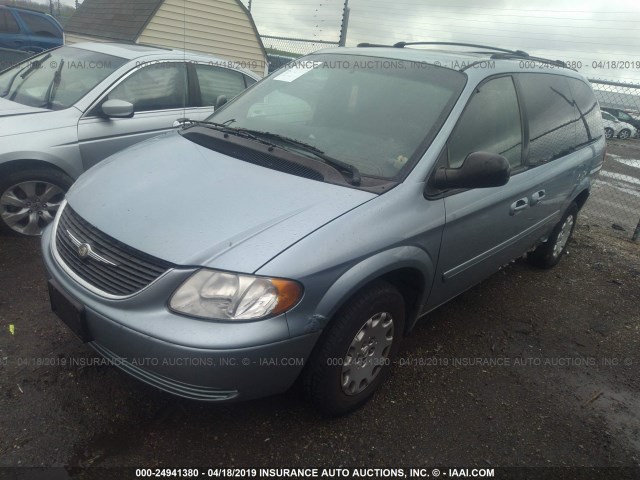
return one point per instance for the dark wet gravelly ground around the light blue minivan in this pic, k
(530, 368)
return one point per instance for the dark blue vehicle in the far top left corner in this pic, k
(28, 30)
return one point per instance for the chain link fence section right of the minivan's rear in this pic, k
(615, 196)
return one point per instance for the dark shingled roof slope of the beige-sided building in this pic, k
(118, 20)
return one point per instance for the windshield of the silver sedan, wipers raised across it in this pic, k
(57, 79)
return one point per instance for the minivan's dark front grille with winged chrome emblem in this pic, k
(112, 267)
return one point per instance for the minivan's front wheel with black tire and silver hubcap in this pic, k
(354, 355)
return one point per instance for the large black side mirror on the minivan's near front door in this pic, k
(479, 170)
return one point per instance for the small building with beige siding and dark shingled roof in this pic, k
(223, 28)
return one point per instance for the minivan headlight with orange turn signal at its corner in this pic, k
(230, 296)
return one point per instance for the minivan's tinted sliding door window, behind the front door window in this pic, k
(551, 114)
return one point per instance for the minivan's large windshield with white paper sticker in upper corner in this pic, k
(374, 114)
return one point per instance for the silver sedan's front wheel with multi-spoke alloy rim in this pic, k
(30, 198)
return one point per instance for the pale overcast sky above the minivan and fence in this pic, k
(592, 34)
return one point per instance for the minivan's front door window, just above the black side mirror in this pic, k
(489, 123)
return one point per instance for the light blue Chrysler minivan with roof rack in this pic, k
(301, 231)
